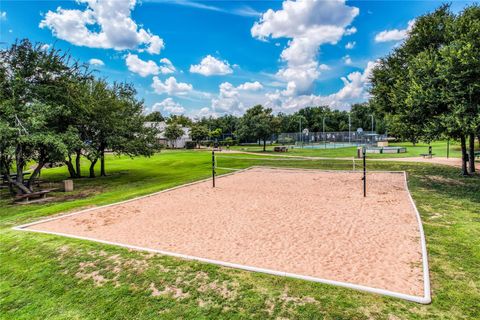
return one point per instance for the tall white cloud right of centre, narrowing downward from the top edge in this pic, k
(309, 24)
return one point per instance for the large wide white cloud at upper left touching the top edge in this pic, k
(102, 24)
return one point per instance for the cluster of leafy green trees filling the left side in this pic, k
(52, 109)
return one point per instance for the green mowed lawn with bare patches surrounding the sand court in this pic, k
(52, 277)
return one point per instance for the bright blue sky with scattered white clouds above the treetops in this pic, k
(216, 57)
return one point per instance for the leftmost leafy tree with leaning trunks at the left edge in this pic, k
(33, 82)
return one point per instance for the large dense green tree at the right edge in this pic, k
(429, 85)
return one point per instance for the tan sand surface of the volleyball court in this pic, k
(310, 224)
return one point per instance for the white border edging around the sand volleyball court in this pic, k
(426, 299)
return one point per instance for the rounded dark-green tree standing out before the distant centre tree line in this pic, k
(258, 123)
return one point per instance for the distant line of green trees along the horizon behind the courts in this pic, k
(260, 124)
